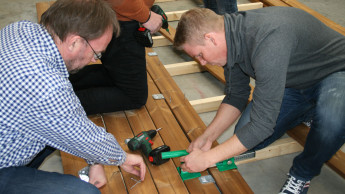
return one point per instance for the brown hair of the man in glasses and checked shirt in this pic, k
(86, 18)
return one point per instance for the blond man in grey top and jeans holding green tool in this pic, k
(298, 64)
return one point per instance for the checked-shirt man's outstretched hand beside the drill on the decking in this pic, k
(133, 161)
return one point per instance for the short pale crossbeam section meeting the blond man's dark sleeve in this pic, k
(207, 104)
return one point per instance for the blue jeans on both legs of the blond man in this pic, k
(324, 103)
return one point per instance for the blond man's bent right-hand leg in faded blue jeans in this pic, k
(327, 133)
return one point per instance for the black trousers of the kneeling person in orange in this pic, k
(120, 82)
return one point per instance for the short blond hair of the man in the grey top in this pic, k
(194, 24)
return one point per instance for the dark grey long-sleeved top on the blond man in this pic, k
(279, 47)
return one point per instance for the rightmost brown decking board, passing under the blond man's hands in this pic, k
(189, 120)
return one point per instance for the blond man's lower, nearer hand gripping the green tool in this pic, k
(196, 161)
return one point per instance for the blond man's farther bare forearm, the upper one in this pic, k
(226, 116)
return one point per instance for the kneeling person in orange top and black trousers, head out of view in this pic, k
(120, 82)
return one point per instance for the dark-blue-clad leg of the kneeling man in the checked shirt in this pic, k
(18, 180)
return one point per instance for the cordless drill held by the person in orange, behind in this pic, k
(143, 35)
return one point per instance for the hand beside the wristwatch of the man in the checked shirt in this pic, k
(97, 175)
